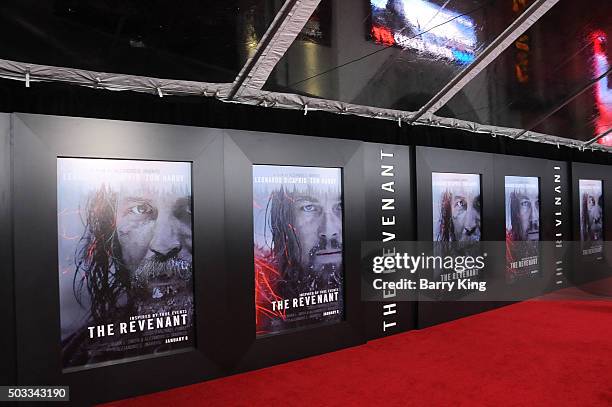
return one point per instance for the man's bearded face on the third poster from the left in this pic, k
(465, 212)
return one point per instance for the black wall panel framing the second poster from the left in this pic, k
(242, 150)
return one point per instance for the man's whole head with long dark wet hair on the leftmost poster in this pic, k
(136, 252)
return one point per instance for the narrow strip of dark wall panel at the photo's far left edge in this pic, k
(7, 313)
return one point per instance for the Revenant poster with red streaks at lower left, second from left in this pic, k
(297, 214)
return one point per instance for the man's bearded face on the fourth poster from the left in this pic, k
(525, 214)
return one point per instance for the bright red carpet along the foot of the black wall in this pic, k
(540, 353)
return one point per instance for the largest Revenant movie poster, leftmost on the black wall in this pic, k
(125, 259)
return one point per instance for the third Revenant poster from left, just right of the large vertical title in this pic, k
(456, 221)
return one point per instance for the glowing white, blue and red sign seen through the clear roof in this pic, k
(424, 27)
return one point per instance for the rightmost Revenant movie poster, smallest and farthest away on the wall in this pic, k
(591, 216)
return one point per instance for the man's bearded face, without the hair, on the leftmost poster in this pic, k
(154, 232)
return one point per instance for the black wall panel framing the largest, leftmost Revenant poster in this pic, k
(38, 142)
